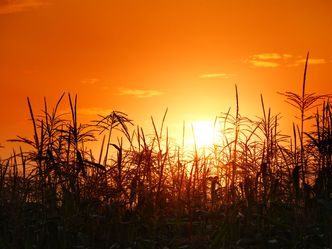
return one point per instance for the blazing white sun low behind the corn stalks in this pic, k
(204, 134)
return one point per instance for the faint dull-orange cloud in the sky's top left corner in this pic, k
(13, 6)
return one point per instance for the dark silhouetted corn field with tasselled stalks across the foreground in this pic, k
(256, 189)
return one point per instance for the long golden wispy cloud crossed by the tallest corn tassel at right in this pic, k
(273, 60)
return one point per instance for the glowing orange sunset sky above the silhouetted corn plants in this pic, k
(143, 56)
